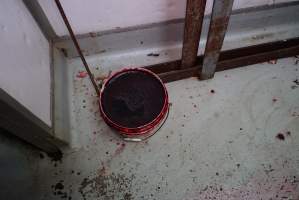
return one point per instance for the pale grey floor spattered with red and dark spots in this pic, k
(233, 137)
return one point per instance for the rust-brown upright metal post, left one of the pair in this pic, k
(193, 22)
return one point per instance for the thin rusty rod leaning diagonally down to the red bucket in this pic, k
(77, 46)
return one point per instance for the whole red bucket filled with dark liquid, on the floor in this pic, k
(134, 102)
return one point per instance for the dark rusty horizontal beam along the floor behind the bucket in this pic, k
(230, 59)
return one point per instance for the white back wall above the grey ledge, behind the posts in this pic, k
(98, 15)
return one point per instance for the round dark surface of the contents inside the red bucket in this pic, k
(133, 99)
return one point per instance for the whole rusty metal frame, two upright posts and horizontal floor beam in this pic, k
(214, 59)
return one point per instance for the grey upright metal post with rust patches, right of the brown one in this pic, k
(219, 21)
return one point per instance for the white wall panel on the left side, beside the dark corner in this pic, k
(25, 60)
